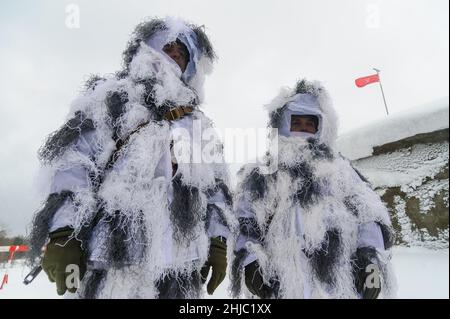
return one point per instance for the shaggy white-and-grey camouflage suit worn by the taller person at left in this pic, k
(138, 220)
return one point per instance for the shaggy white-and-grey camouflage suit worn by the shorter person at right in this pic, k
(304, 222)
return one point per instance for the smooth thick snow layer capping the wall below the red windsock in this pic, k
(359, 143)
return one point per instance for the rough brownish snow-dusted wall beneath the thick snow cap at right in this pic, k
(411, 176)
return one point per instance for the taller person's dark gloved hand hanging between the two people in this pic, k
(218, 261)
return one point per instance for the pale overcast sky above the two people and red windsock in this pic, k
(262, 45)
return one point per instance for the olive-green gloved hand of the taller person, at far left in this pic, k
(60, 253)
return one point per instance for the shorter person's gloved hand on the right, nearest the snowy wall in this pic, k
(364, 257)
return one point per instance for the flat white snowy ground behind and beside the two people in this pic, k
(421, 273)
